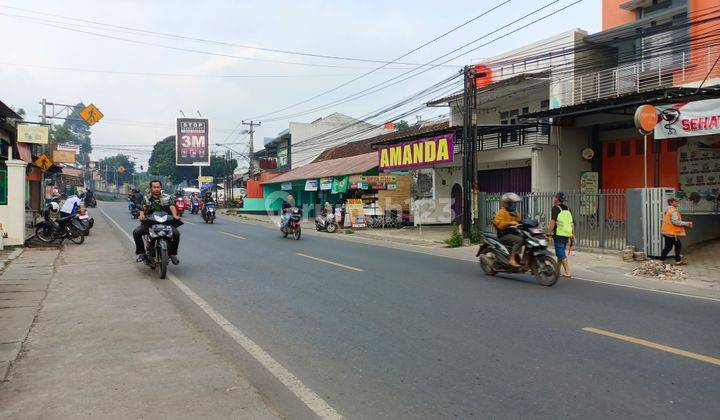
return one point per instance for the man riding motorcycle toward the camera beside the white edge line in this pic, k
(156, 201)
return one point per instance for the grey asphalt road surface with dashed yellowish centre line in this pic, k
(399, 334)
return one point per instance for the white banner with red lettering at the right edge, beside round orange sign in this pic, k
(686, 119)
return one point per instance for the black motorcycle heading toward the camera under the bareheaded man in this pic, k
(157, 241)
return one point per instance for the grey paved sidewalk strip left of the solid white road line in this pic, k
(104, 342)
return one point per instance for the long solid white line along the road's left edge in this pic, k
(295, 385)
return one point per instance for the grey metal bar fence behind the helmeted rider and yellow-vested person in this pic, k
(599, 218)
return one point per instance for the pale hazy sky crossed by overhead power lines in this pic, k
(141, 81)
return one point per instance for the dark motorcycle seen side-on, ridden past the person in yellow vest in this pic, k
(495, 257)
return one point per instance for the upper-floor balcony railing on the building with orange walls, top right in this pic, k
(664, 71)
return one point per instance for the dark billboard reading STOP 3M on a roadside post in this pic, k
(192, 147)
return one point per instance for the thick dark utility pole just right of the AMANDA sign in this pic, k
(469, 148)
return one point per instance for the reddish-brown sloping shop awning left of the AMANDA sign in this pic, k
(334, 167)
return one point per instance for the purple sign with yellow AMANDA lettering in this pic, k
(419, 153)
